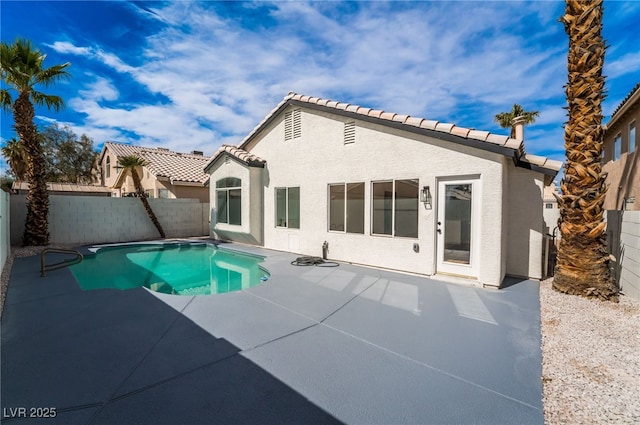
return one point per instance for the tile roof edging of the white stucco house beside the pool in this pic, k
(476, 138)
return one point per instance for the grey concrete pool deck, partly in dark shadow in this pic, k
(348, 344)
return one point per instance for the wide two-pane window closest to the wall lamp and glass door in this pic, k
(395, 208)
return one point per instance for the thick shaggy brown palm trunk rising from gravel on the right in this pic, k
(582, 266)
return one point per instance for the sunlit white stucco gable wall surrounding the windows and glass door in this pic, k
(320, 157)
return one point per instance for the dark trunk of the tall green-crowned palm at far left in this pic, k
(36, 230)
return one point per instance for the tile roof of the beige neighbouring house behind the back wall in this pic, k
(176, 166)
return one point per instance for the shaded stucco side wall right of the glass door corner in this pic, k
(524, 225)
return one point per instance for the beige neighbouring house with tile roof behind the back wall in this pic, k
(167, 174)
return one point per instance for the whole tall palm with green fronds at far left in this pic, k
(22, 70)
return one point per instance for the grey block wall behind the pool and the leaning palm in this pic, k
(93, 219)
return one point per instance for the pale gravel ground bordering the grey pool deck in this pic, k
(590, 355)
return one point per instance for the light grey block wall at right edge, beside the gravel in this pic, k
(630, 254)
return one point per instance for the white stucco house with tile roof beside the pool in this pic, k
(383, 189)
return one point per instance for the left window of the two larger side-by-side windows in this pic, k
(346, 207)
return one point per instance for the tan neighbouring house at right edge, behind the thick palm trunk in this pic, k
(620, 159)
